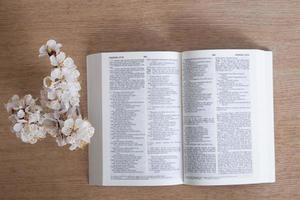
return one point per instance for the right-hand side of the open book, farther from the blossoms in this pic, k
(227, 117)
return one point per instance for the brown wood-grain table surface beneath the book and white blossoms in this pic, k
(44, 171)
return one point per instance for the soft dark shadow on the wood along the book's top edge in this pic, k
(175, 36)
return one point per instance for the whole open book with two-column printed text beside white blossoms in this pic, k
(200, 117)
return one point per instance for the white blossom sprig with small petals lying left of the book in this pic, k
(59, 113)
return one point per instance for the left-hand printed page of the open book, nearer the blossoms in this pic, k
(141, 109)
